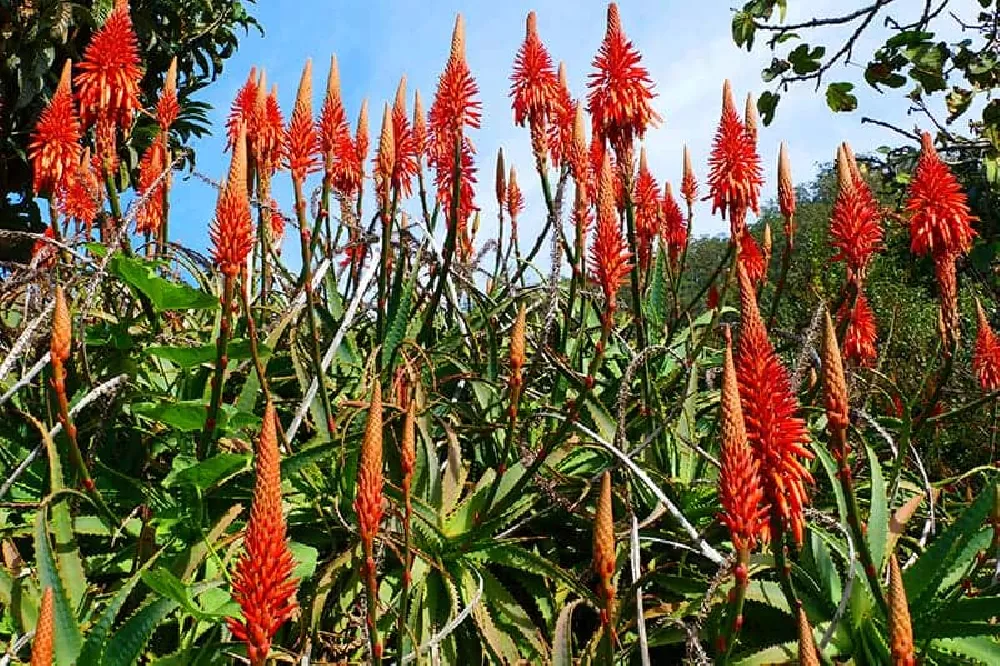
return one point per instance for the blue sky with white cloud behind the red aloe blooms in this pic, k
(686, 47)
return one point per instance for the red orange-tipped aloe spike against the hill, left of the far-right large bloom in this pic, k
(855, 222)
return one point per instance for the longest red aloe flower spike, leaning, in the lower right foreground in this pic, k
(777, 436)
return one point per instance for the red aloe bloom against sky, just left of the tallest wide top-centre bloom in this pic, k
(534, 89)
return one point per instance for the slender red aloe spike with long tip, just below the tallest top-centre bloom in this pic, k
(609, 253)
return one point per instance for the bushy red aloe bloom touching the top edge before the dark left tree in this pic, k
(109, 74)
